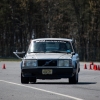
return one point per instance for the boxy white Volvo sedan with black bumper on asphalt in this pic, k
(50, 58)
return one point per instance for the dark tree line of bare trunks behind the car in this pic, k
(21, 20)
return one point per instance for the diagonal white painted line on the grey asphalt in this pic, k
(64, 95)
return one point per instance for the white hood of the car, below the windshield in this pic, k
(48, 56)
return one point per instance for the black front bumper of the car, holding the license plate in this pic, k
(48, 73)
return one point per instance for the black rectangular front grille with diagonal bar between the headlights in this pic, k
(47, 63)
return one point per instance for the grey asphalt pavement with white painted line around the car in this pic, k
(88, 87)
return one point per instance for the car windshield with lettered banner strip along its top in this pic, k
(50, 46)
